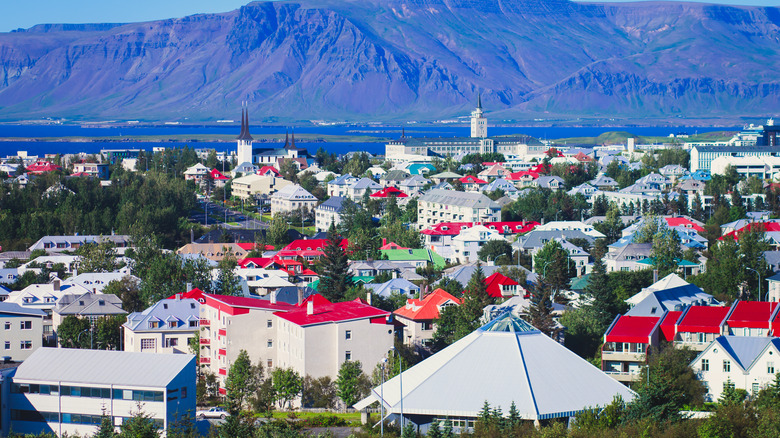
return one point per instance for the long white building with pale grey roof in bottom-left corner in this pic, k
(66, 391)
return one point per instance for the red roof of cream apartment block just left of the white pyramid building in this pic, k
(327, 312)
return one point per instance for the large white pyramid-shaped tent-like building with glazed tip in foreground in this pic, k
(505, 361)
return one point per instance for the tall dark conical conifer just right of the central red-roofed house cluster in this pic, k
(335, 277)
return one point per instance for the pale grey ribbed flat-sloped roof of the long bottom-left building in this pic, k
(103, 367)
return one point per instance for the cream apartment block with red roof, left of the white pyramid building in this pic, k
(319, 336)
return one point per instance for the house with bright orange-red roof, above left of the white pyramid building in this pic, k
(420, 316)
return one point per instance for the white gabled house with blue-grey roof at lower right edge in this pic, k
(743, 362)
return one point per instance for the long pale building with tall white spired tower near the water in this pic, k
(423, 148)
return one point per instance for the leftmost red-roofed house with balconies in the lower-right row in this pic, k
(626, 343)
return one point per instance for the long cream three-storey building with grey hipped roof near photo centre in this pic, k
(437, 206)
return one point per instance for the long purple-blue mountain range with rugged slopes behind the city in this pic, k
(402, 60)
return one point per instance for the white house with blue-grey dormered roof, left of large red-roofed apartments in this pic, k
(167, 326)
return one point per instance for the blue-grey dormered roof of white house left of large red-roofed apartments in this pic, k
(182, 310)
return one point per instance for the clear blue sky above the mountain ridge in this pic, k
(26, 13)
